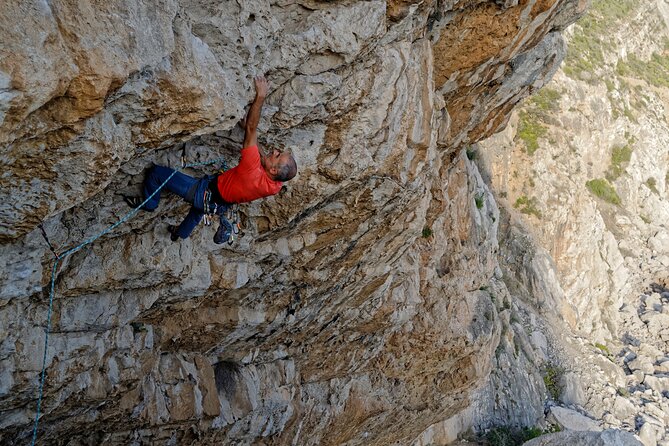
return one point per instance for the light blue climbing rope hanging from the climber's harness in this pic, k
(71, 251)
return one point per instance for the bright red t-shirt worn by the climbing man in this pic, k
(247, 181)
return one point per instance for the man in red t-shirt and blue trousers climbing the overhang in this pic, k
(256, 176)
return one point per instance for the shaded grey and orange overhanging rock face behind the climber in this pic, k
(355, 298)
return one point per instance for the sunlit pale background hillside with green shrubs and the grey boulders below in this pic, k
(583, 167)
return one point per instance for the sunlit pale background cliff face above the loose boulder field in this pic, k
(586, 134)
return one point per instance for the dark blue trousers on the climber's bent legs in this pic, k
(180, 184)
